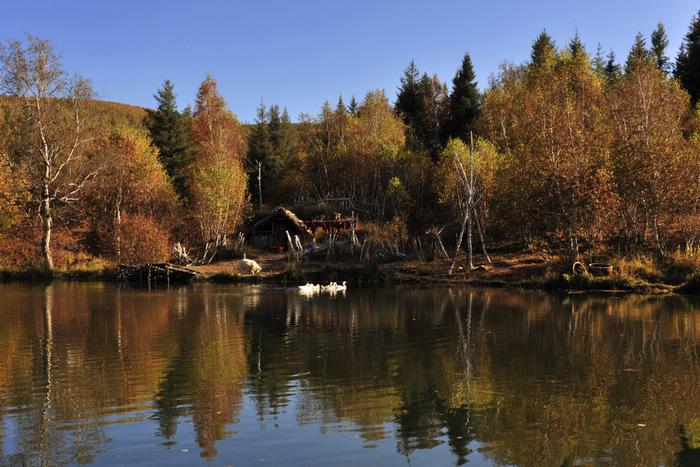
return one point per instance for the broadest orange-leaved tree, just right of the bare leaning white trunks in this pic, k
(554, 141)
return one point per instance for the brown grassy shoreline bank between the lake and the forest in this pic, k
(507, 270)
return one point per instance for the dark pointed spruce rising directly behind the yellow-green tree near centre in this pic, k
(464, 100)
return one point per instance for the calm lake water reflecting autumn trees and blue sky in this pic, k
(107, 374)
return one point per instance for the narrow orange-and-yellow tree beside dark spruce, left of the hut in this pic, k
(217, 175)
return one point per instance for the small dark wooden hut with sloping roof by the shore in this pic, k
(271, 232)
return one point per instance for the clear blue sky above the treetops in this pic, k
(299, 54)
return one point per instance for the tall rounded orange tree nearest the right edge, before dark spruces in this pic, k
(647, 111)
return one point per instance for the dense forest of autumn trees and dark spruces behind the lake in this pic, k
(570, 149)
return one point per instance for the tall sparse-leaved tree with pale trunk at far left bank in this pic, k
(49, 128)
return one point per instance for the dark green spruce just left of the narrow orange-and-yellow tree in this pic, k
(169, 130)
